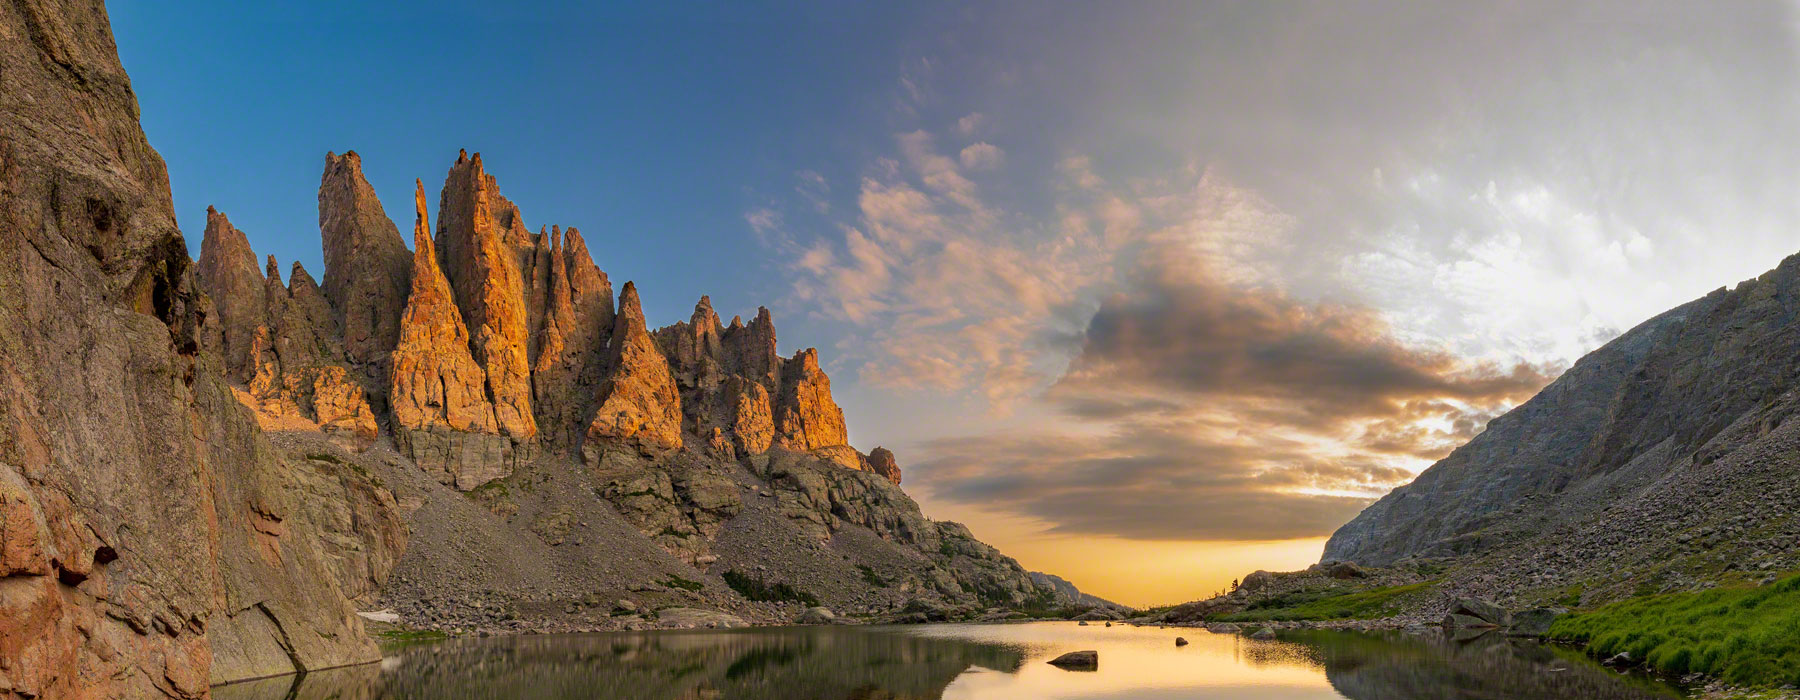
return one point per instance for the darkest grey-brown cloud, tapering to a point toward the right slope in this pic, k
(1183, 334)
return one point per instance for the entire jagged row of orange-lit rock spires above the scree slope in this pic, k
(496, 345)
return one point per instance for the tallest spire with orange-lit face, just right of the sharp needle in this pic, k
(485, 278)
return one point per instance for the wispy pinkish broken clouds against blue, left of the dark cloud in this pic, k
(942, 291)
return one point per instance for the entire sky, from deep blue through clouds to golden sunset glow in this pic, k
(1147, 294)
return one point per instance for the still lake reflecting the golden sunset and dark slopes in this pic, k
(966, 661)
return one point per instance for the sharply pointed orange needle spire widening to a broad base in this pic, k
(440, 402)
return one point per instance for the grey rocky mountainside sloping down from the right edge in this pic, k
(1662, 462)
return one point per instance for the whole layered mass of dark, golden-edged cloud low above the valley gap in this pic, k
(1212, 411)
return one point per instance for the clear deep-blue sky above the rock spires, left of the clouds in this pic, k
(645, 127)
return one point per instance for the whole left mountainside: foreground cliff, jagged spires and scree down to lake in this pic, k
(474, 433)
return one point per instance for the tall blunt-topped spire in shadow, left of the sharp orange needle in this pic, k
(368, 269)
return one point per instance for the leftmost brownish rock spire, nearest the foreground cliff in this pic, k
(228, 273)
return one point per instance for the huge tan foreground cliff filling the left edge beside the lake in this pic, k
(152, 541)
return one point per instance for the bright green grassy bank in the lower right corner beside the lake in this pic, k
(1740, 634)
